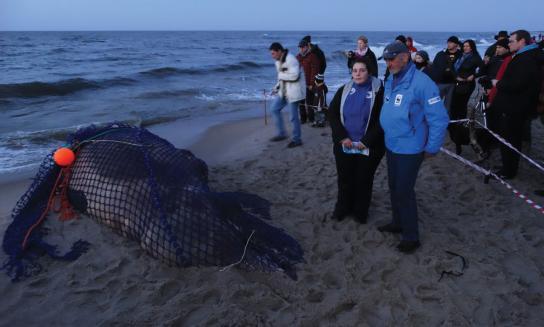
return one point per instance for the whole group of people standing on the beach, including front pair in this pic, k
(406, 116)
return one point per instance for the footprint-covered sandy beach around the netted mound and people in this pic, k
(353, 275)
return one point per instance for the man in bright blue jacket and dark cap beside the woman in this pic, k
(414, 121)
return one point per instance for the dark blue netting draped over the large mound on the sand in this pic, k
(147, 190)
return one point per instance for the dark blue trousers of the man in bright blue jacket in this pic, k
(402, 172)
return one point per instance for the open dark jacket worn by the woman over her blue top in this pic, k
(373, 138)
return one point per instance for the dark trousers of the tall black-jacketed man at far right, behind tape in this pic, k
(511, 128)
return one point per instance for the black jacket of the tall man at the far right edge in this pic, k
(518, 90)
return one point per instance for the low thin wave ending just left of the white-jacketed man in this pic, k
(172, 71)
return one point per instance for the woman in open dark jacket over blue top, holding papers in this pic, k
(358, 140)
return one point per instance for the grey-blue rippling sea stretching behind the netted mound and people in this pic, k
(51, 83)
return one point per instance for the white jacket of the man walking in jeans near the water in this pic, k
(290, 84)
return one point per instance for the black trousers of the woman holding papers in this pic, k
(355, 180)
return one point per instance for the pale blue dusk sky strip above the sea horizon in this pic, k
(347, 15)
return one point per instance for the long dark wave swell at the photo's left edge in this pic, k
(59, 88)
